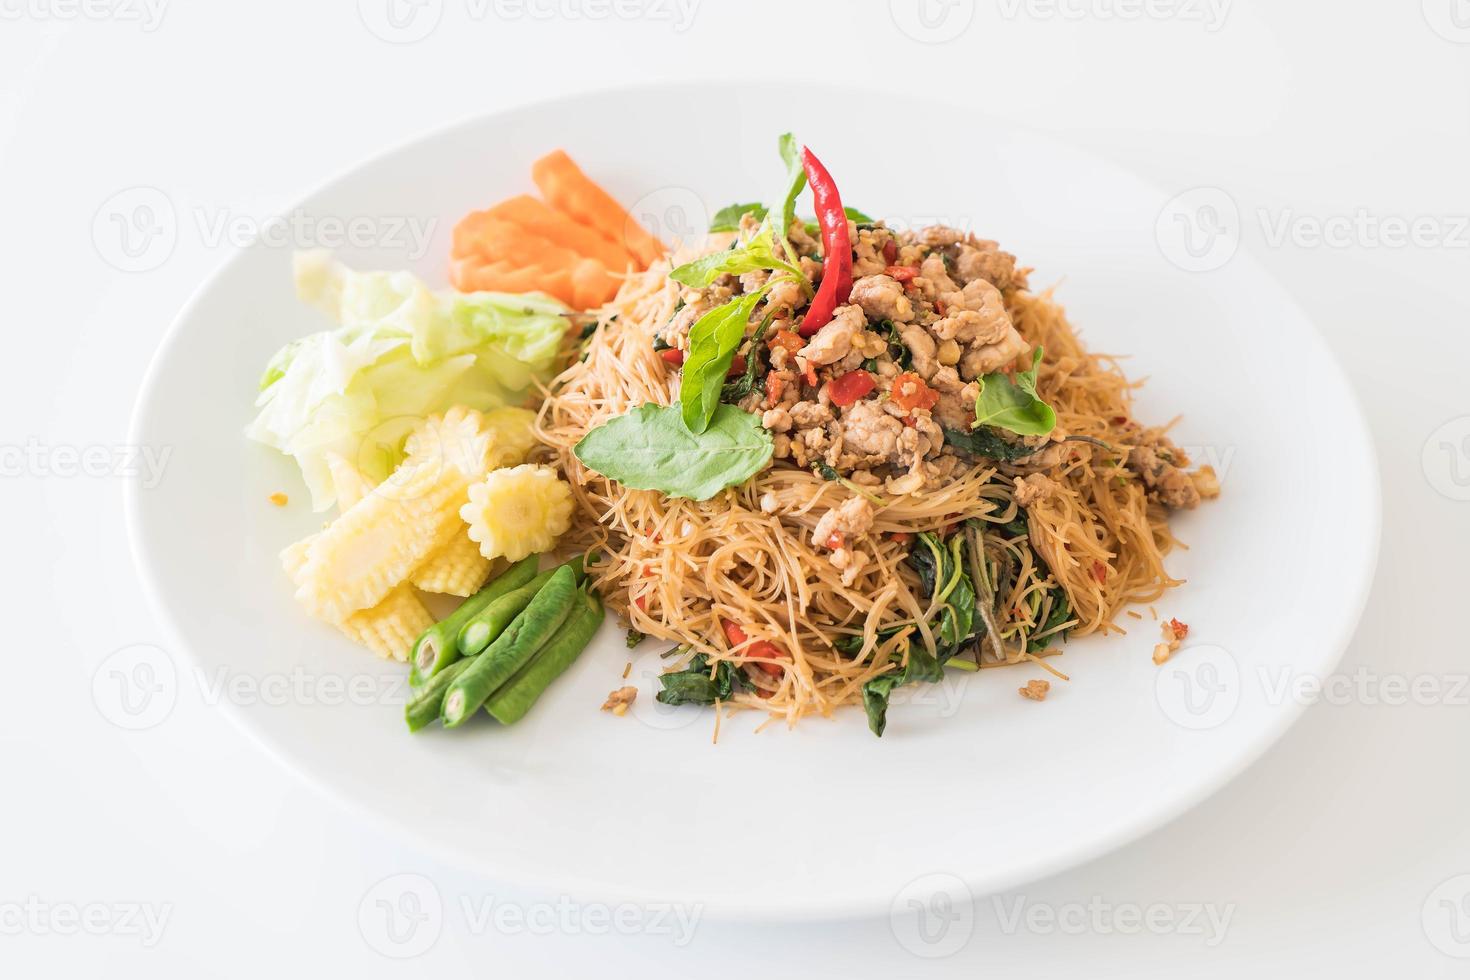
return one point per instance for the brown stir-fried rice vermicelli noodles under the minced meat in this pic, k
(675, 568)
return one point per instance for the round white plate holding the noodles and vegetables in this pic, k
(971, 781)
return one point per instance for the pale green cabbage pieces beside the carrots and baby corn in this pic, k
(401, 353)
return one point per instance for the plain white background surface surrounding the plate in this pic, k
(1337, 853)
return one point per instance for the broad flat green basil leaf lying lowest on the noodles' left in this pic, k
(650, 449)
